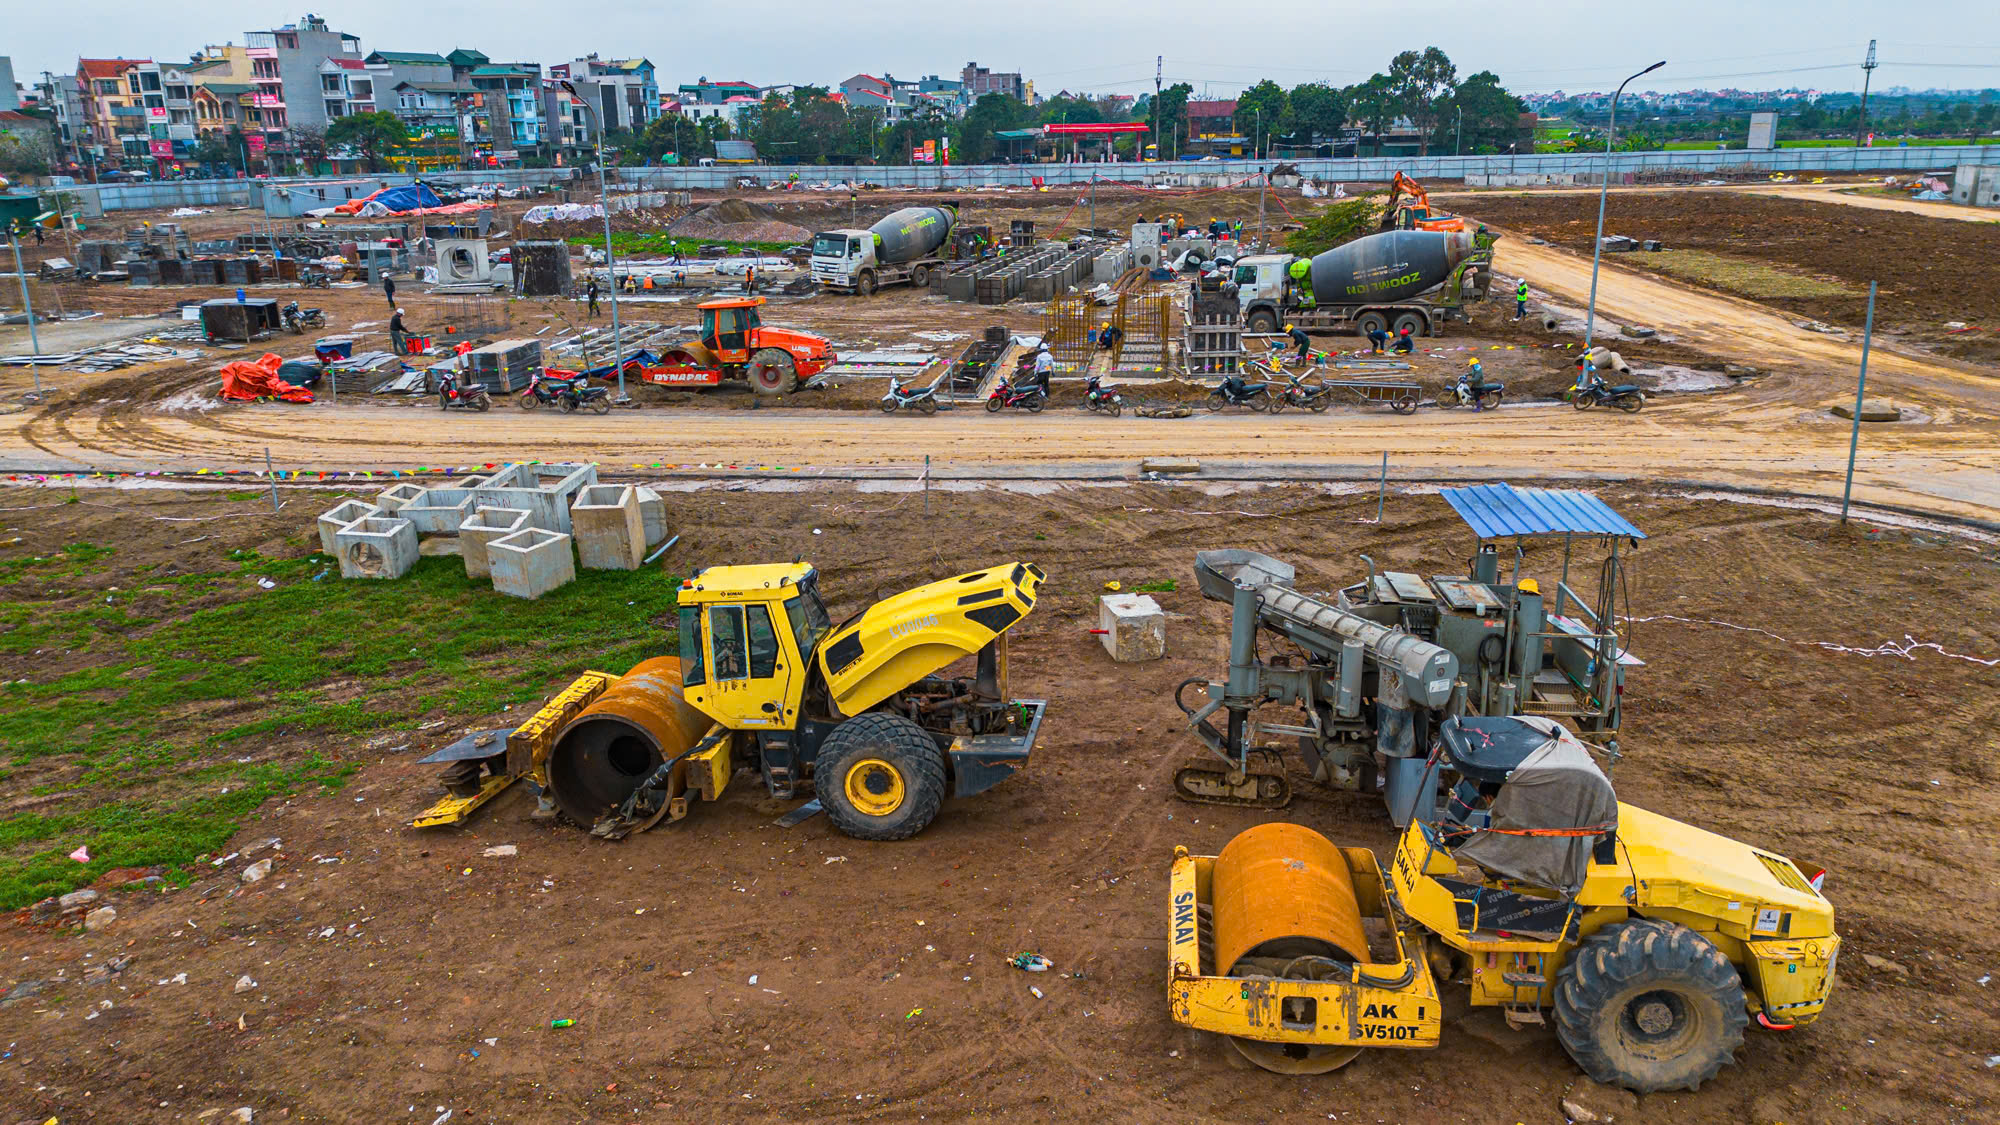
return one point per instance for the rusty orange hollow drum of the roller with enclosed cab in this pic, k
(615, 744)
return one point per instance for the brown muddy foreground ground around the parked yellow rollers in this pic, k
(731, 970)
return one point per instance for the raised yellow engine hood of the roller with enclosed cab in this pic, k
(917, 634)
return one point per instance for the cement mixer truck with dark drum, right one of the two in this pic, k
(1391, 281)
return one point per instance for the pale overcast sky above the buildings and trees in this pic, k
(1101, 45)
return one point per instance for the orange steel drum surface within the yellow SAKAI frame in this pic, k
(1283, 892)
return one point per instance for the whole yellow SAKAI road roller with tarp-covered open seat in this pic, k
(1655, 944)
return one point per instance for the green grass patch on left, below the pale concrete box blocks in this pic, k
(157, 730)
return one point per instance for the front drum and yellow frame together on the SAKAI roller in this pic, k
(1269, 946)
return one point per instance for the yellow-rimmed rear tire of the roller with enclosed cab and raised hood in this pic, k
(901, 746)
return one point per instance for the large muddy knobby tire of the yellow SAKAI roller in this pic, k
(1613, 992)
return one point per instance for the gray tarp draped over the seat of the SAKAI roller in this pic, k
(1555, 788)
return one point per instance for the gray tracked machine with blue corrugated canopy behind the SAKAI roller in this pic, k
(1377, 668)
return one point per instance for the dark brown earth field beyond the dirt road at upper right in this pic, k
(1929, 271)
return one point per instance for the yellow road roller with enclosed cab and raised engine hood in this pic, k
(863, 716)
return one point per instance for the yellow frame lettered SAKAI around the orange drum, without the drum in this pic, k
(1377, 1006)
